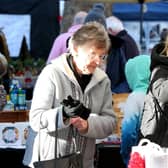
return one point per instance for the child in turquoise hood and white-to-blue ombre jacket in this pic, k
(137, 71)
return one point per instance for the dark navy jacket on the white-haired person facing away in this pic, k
(123, 48)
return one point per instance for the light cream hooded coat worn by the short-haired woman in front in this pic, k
(55, 83)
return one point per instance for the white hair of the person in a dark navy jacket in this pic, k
(114, 24)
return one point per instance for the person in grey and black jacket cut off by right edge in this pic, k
(154, 120)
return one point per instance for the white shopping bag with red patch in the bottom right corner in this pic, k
(148, 154)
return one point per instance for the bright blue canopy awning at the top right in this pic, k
(155, 11)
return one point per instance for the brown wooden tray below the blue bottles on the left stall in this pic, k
(14, 116)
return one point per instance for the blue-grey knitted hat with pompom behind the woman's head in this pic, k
(97, 14)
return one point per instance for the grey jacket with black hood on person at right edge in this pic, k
(159, 87)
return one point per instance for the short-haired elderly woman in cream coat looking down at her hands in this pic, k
(74, 87)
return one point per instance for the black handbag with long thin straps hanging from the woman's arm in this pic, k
(73, 160)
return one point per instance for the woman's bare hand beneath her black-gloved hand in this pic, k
(80, 124)
